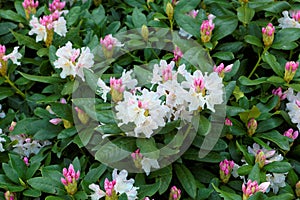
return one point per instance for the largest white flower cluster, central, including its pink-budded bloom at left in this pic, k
(146, 109)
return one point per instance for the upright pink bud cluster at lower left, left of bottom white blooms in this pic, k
(70, 179)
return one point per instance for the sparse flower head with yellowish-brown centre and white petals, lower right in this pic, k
(264, 156)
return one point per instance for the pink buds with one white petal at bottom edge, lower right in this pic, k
(252, 187)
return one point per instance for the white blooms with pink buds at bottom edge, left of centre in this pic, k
(120, 185)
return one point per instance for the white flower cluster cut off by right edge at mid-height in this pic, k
(293, 107)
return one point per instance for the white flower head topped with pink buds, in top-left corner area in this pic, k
(45, 27)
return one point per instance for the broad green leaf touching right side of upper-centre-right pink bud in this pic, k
(224, 26)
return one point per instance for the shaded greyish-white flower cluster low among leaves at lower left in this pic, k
(26, 146)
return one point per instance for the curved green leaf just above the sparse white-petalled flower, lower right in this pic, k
(274, 136)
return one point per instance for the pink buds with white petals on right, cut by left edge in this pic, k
(13, 56)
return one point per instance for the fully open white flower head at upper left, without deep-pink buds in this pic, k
(72, 61)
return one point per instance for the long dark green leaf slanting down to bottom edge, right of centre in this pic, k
(186, 179)
